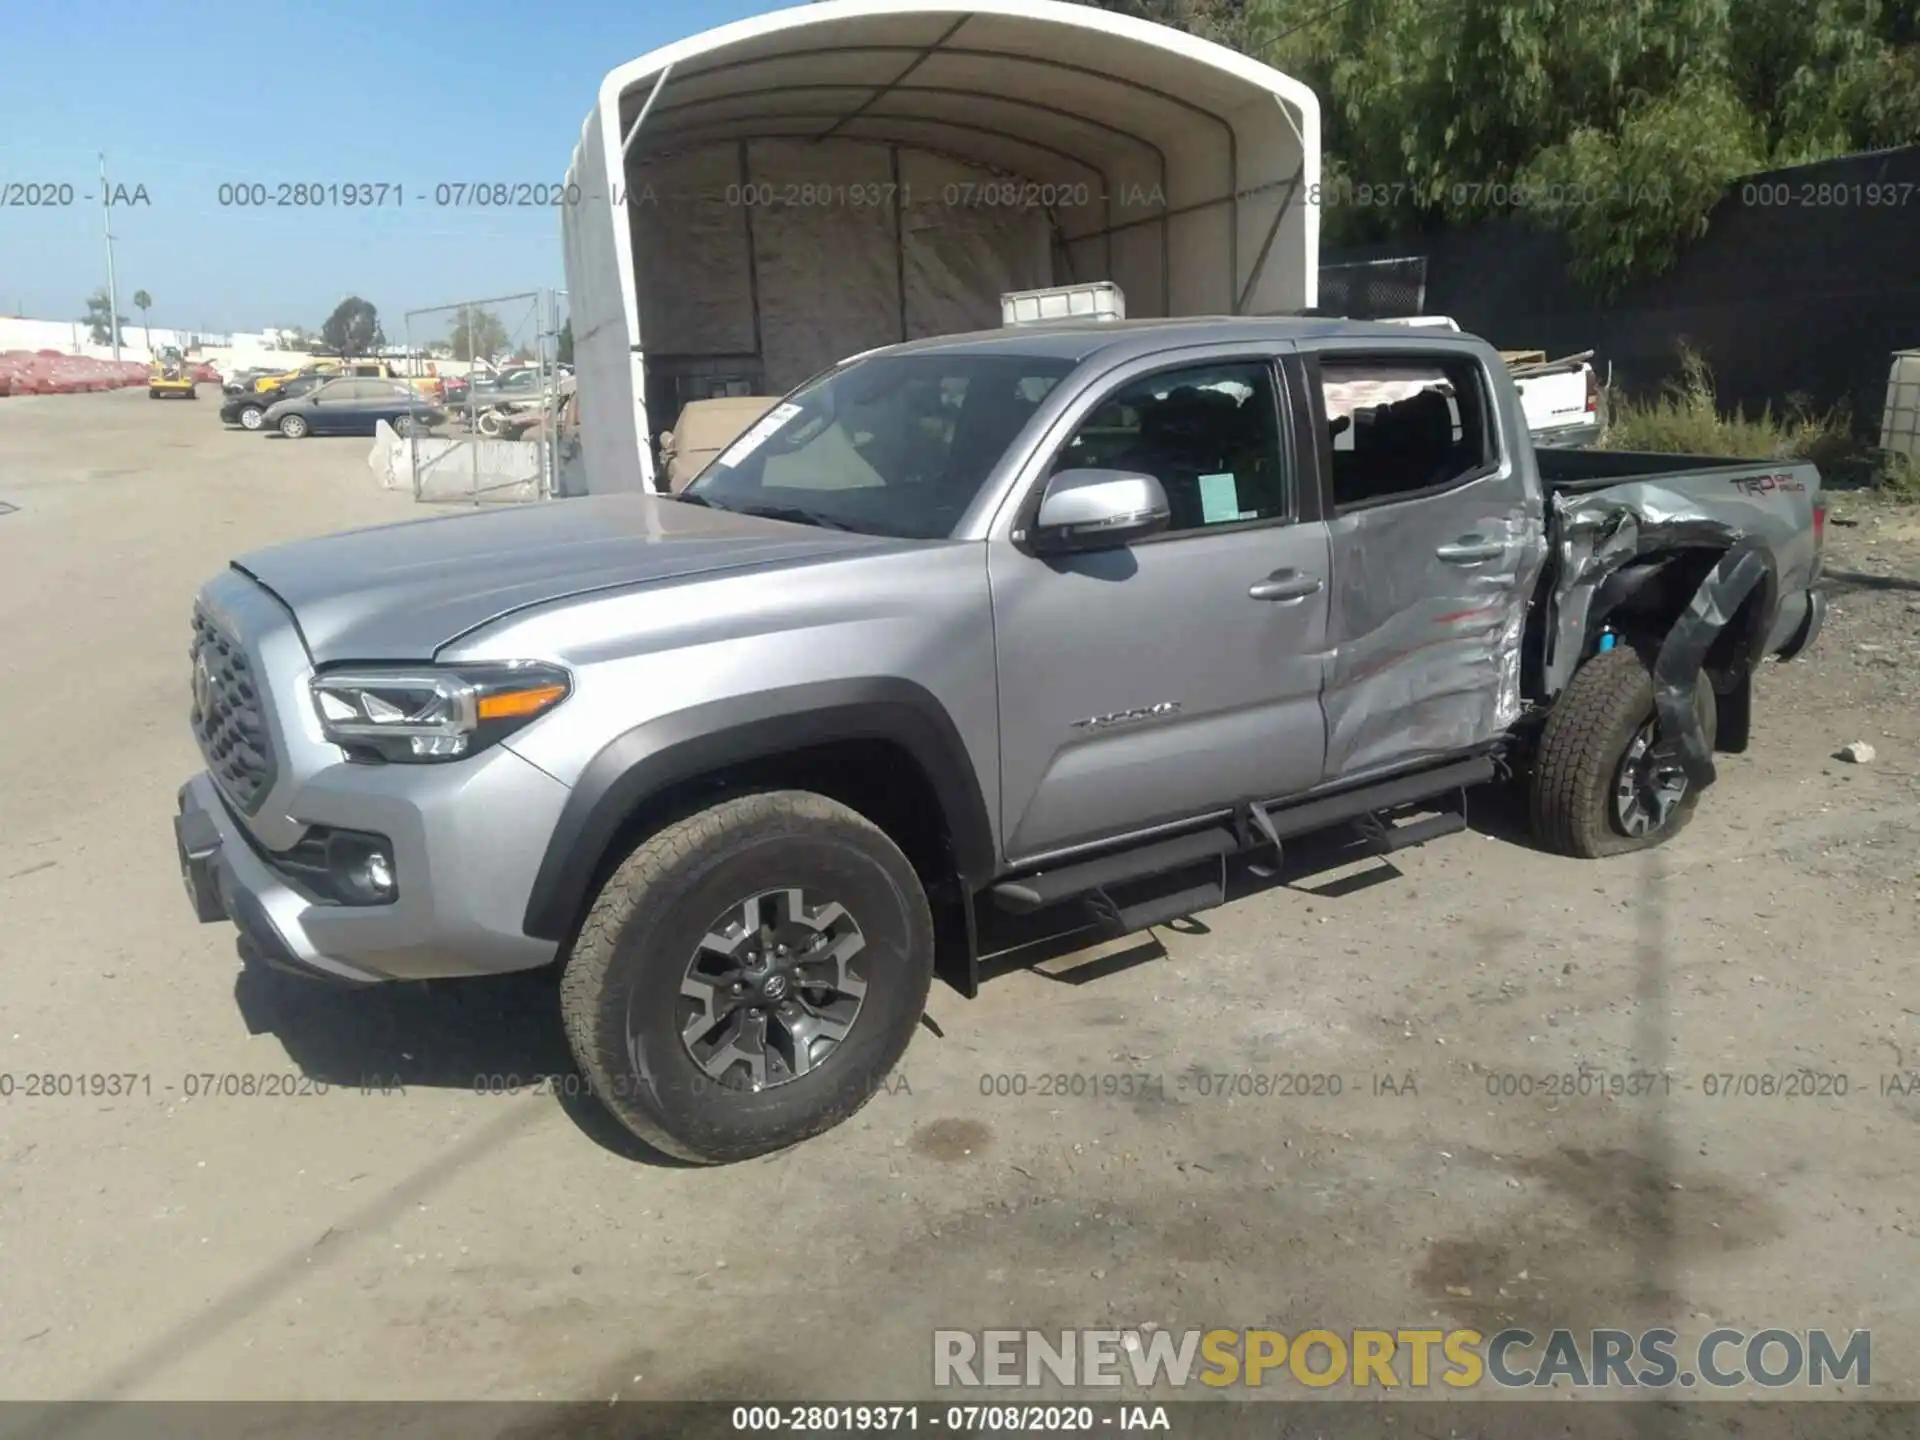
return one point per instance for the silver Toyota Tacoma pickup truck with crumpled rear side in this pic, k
(1044, 621)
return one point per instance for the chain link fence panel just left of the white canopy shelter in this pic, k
(496, 421)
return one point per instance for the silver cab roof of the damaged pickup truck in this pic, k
(1080, 341)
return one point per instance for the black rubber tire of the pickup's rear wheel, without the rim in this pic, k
(1581, 750)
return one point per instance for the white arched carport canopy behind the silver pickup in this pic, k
(823, 180)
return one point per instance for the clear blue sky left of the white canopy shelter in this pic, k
(189, 97)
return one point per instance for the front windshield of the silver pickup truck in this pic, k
(892, 446)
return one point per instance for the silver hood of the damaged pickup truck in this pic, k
(400, 592)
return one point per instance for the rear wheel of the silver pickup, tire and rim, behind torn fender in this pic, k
(1602, 784)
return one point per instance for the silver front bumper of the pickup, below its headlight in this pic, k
(462, 875)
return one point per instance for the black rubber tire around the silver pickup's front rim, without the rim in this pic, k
(646, 924)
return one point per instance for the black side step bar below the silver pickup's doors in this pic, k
(1253, 828)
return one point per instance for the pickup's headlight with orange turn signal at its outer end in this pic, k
(435, 713)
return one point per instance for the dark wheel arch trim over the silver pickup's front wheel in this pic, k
(709, 738)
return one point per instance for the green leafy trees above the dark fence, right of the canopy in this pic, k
(1618, 122)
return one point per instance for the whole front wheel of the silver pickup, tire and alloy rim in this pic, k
(750, 976)
